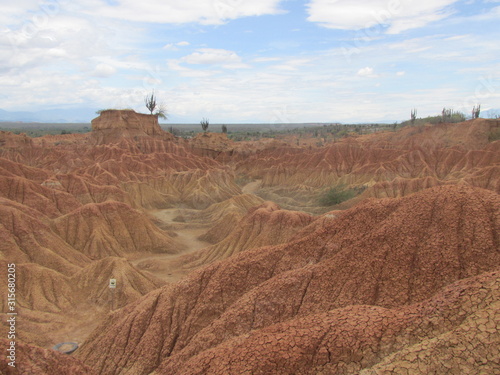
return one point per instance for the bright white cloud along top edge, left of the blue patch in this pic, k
(210, 12)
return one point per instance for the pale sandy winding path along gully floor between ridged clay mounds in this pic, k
(164, 266)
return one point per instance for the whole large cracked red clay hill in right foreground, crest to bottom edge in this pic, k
(391, 286)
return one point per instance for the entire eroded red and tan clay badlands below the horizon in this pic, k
(374, 254)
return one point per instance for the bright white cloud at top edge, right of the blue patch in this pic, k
(397, 15)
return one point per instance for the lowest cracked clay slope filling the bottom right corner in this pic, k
(456, 331)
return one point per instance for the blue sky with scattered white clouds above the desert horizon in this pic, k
(243, 61)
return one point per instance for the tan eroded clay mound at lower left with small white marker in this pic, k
(56, 307)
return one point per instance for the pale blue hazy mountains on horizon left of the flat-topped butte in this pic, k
(60, 115)
